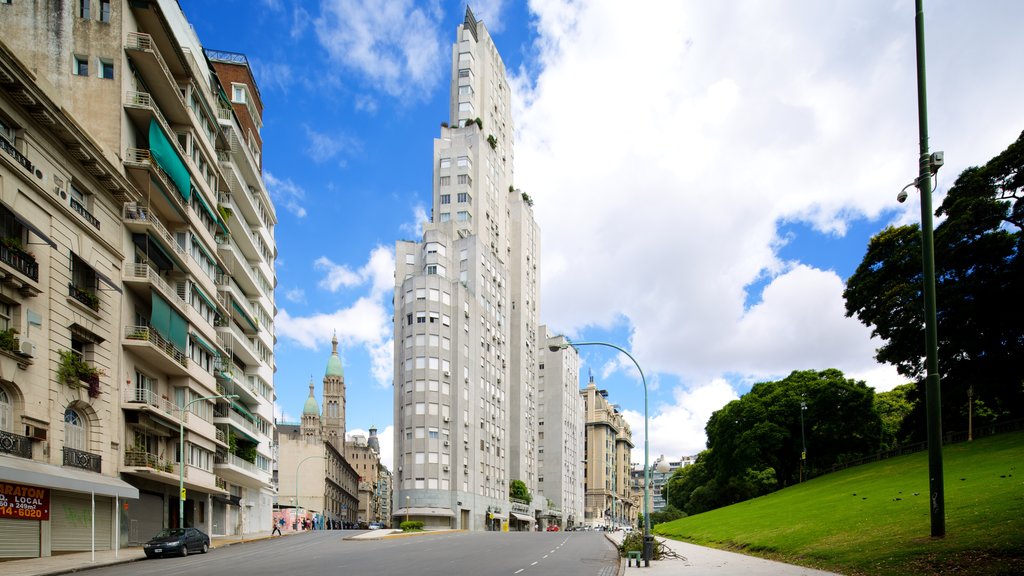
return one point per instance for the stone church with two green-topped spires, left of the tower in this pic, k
(316, 480)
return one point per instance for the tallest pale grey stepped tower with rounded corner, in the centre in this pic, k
(466, 307)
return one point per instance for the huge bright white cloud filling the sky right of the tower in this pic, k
(680, 156)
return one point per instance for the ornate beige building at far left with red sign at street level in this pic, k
(61, 298)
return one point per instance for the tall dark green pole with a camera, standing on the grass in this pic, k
(928, 164)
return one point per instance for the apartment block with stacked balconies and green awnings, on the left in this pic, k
(190, 255)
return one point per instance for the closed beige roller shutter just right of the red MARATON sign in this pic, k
(71, 525)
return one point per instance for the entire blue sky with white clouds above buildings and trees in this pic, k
(706, 176)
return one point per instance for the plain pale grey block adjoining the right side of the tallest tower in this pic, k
(561, 437)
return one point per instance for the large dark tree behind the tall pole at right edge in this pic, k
(979, 275)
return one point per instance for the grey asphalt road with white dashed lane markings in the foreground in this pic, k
(485, 554)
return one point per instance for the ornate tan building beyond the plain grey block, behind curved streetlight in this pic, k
(609, 443)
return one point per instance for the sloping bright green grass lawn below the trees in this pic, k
(874, 519)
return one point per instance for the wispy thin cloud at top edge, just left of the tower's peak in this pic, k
(396, 45)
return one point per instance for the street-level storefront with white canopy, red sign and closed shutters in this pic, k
(46, 509)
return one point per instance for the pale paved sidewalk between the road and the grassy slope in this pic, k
(702, 560)
